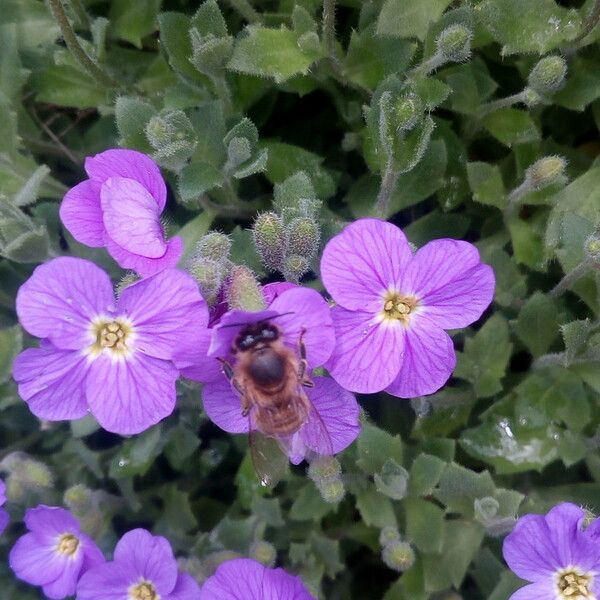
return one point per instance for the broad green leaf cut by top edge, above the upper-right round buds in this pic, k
(536, 26)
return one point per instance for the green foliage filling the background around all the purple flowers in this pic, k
(517, 428)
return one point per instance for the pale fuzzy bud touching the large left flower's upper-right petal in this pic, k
(209, 265)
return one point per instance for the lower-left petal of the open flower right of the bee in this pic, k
(367, 355)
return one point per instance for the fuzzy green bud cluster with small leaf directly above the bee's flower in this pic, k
(287, 239)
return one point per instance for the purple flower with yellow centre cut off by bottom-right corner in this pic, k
(555, 553)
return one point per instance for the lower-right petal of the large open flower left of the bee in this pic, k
(129, 396)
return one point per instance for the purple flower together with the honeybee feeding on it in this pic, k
(300, 320)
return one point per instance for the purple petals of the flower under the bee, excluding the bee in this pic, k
(333, 423)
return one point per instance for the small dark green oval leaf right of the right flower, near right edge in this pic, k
(537, 323)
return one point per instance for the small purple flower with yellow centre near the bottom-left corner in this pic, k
(55, 553)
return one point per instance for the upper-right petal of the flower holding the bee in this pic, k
(303, 309)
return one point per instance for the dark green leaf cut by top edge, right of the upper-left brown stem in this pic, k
(133, 21)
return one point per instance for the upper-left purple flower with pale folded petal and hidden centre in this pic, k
(119, 207)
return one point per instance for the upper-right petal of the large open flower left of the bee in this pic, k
(166, 310)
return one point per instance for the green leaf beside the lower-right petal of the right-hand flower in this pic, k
(486, 357)
